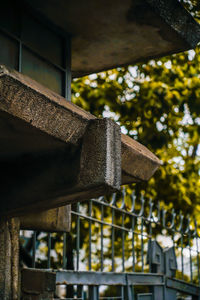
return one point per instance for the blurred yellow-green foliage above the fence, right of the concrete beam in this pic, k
(158, 104)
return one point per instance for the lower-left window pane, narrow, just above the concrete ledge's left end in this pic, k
(8, 51)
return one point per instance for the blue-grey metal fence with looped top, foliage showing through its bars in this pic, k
(111, 252)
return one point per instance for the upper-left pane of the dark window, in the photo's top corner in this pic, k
(10, 17)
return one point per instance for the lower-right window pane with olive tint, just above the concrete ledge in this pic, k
(41, 71)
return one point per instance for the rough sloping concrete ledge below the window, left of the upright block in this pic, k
(41, 108)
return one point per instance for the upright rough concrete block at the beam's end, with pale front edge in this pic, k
(101, 143)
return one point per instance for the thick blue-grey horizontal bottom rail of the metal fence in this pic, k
(64, 277)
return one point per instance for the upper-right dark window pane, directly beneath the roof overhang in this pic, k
(41, 39)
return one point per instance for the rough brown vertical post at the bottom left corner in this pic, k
(9, 259)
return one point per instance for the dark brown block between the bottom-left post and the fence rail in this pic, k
(37, 284)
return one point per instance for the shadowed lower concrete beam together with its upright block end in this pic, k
(54, 179)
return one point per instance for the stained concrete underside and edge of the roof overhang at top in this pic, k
(107, 34)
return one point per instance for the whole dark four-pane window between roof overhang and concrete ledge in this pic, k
(36, 50)
